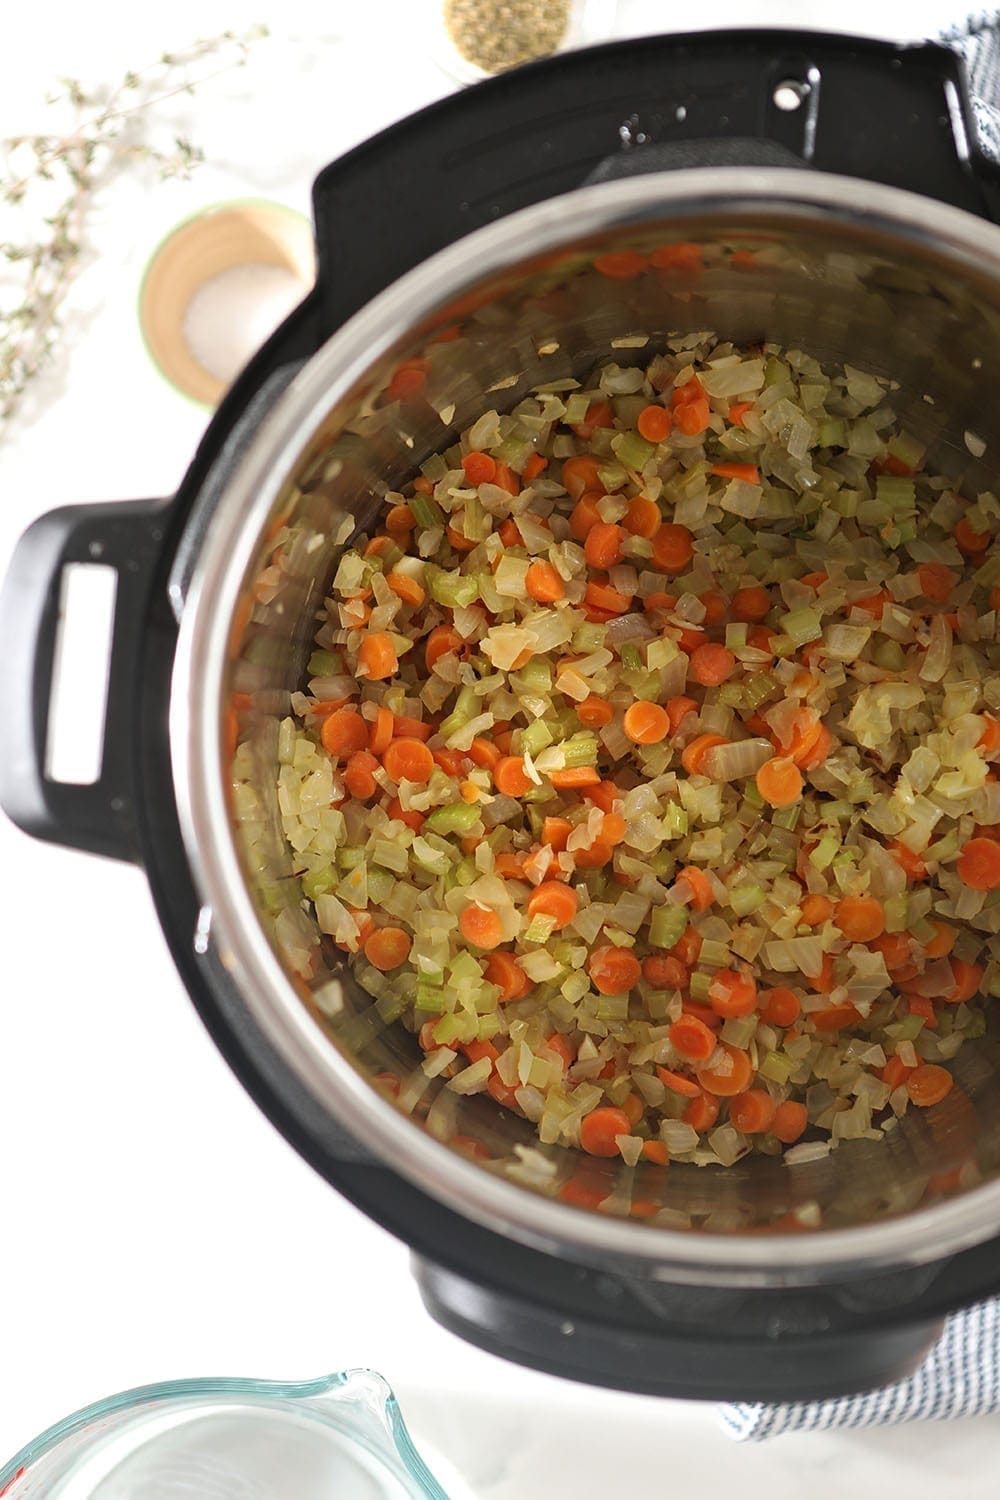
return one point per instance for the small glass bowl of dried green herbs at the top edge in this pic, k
(482, 38)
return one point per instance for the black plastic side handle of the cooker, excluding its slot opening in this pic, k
(124, 538)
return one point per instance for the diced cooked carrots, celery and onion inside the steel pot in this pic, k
(647, 767)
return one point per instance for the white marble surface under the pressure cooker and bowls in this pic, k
(154, 1223)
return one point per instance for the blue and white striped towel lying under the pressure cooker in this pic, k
(962, 1375)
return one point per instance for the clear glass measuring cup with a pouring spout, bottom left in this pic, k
(340, 1436)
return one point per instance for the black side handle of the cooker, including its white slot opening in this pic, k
(77, 574)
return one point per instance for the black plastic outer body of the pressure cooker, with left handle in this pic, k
(857, 109)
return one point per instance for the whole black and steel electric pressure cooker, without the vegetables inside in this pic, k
(464, 239)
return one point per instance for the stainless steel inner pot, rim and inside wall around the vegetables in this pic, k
(846, 271)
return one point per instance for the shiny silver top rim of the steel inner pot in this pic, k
(726, 196)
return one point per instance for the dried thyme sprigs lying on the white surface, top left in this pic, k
(47, 187)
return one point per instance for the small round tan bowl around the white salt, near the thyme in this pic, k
(212, 242)
